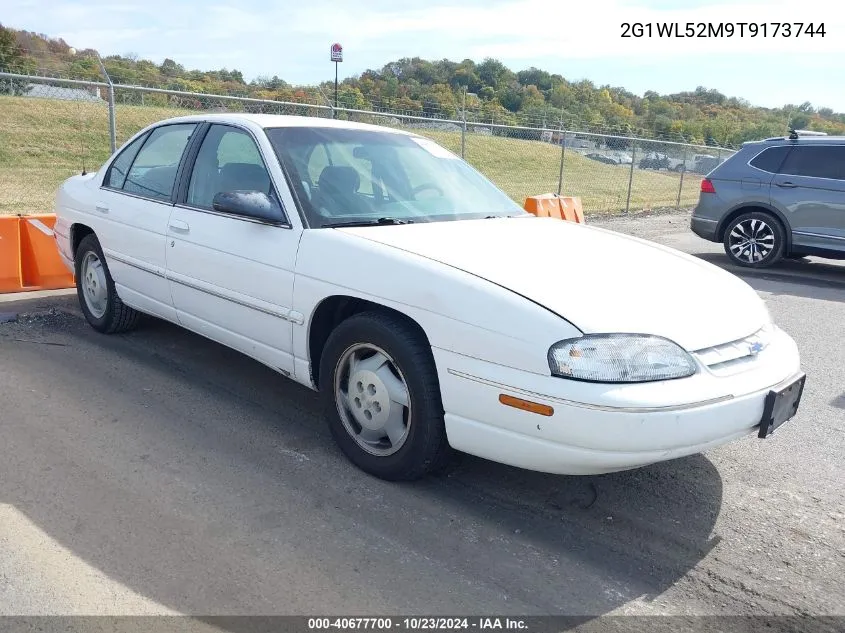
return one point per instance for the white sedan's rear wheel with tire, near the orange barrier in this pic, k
(98, 299)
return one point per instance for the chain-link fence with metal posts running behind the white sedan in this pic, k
(53, 128)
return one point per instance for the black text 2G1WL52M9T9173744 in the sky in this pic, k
(722, 29)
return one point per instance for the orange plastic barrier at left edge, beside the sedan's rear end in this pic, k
(29, 259)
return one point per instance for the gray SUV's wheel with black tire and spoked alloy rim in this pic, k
(769, 235)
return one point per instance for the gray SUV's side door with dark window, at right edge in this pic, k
(810, 190)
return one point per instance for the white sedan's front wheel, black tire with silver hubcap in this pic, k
(382, 397)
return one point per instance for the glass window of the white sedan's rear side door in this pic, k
(154, 171)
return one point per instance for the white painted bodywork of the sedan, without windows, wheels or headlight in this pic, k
(492, 296)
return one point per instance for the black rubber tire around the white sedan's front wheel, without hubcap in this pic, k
(425, 449)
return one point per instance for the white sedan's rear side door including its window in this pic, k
(133, 208)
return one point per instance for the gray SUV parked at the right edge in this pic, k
(782, 197)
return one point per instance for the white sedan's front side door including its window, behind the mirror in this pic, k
(231, 276)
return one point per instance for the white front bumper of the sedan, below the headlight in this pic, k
(604, 428)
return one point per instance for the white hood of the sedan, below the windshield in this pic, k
(598, 280)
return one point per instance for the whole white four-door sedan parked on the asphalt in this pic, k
(429, 310)
